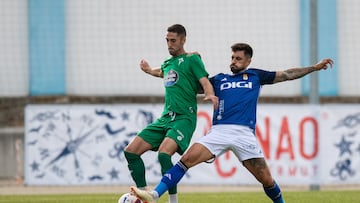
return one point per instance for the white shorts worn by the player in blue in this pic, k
(241, 140)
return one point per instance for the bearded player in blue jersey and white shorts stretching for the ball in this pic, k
(234, 123)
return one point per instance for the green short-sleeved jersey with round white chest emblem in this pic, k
(181, 81)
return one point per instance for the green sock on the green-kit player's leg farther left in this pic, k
(137, 168)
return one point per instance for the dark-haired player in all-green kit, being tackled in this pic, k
(184, 76)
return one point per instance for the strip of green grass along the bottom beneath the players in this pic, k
(241, 197)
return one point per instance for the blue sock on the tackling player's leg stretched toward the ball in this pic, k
(171, 178)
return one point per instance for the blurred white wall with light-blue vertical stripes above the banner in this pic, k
(88, 51)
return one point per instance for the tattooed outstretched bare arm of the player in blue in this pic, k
(295, 73)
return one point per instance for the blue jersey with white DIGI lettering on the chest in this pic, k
(238, 96)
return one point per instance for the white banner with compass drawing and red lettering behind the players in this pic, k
(84, 144)
